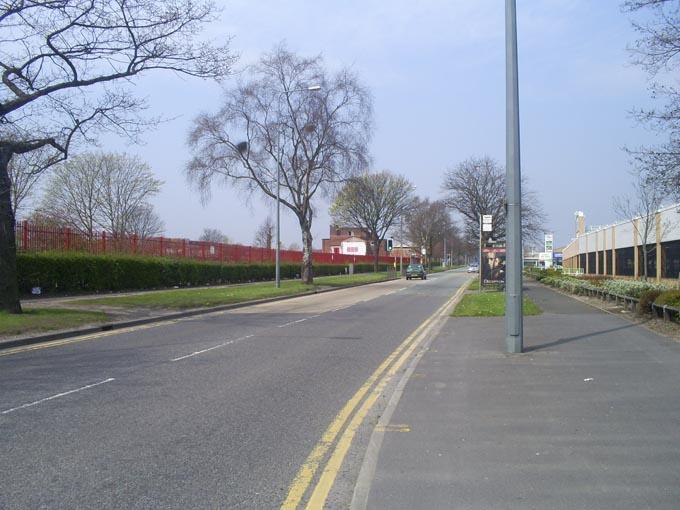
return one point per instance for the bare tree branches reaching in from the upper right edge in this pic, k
(658, 52)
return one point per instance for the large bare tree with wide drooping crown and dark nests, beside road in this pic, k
(274, 126)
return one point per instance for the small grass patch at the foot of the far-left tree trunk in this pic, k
(46, 319)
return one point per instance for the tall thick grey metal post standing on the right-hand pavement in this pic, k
(513, 276)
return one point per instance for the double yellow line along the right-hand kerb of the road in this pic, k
(377, 381)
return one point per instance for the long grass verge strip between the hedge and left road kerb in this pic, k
(207, 297)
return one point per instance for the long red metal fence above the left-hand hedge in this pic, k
(35, 238)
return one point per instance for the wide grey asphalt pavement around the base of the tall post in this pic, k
(588, 417)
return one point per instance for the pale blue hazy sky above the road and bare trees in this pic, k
(436, 70)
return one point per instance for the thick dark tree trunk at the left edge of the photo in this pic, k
(9, 289)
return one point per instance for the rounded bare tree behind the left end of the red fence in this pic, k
(103, 191)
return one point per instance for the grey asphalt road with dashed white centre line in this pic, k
(214, 411)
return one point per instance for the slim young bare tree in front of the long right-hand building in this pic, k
(641, 206)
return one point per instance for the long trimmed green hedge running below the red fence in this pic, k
(58, 273)
